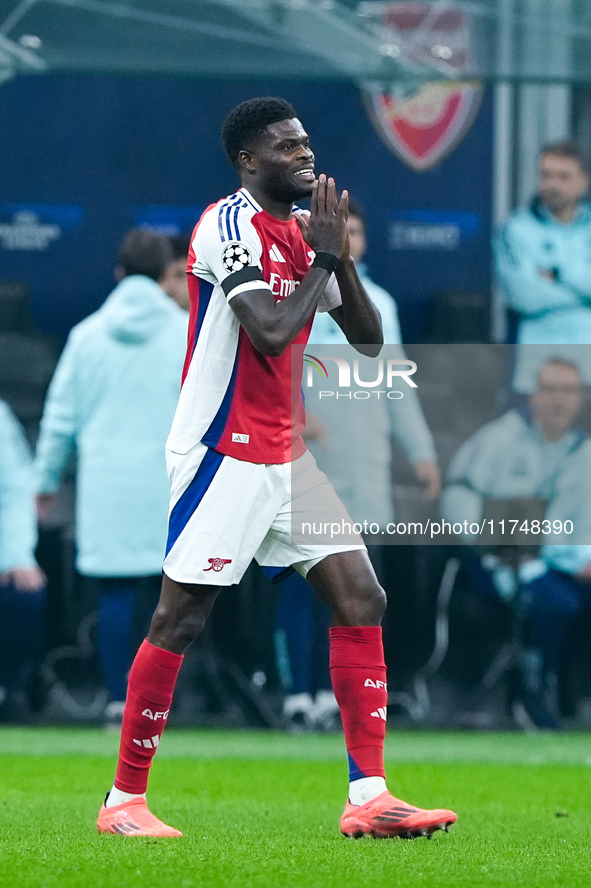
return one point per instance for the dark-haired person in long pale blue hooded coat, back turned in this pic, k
(112, 400)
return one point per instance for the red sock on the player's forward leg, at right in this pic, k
(358, 674)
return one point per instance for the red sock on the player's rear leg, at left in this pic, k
(149, 696)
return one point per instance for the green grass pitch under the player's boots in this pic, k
(262, 809)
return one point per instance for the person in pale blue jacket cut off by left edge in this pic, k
(22, 584)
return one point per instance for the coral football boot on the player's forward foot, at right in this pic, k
(387, 817)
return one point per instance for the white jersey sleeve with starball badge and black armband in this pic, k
(227, 250)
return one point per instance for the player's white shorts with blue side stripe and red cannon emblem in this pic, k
(224, 512)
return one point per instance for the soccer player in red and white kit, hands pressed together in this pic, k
(258, 270)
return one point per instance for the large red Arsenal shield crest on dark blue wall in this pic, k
(423, 124)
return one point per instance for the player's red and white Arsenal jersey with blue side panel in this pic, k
(235, 399)
